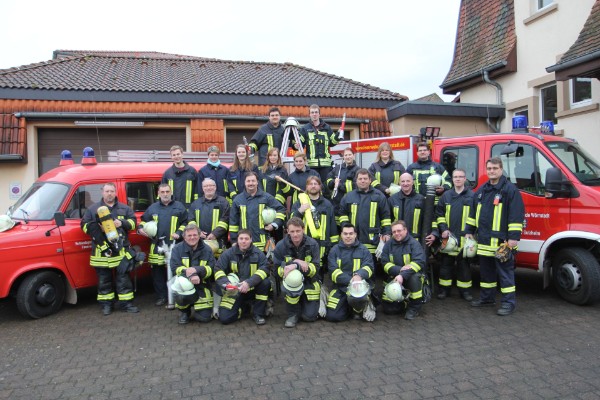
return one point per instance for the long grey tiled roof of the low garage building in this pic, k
(160, 74)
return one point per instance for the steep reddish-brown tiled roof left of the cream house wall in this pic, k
(485, 37)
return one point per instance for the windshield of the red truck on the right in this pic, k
(581, 164)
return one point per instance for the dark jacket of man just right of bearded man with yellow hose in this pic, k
(368, 211)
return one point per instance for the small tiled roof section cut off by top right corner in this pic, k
(587, 45)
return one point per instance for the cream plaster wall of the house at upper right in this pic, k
(542, 37)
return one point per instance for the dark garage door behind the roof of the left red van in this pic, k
(52, 141)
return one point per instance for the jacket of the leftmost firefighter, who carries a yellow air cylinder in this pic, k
(104, 253)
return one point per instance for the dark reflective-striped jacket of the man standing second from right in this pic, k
(452, 212)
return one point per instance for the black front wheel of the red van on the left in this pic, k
(40, 294)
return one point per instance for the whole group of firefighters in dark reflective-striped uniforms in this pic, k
(224, 241)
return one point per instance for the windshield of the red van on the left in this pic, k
(40, 202)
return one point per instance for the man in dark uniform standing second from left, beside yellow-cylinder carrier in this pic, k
(170, 217)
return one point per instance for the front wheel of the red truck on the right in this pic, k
(576, 276)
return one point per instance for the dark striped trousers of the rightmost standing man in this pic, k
(490, 270)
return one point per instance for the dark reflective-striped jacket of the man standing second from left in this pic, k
(170, 218)
